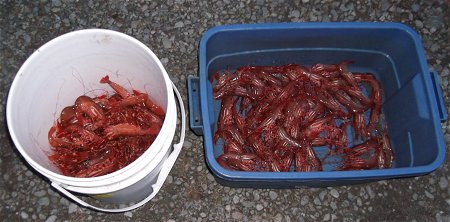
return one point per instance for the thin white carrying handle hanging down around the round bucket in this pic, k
(165, 169)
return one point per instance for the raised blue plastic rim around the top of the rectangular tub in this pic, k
(326, 176)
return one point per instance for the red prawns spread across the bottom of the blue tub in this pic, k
(273, 117)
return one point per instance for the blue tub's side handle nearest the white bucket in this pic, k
(195, 111)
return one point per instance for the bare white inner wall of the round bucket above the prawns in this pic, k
(70, 66)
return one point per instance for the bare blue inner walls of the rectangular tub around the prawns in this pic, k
(390, 54)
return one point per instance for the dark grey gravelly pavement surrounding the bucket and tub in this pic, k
(172, 29)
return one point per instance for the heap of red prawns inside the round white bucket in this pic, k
(100, 135)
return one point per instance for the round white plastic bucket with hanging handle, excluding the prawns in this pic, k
(72, 65)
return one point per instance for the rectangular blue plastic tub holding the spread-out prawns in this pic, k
(393, 52)
